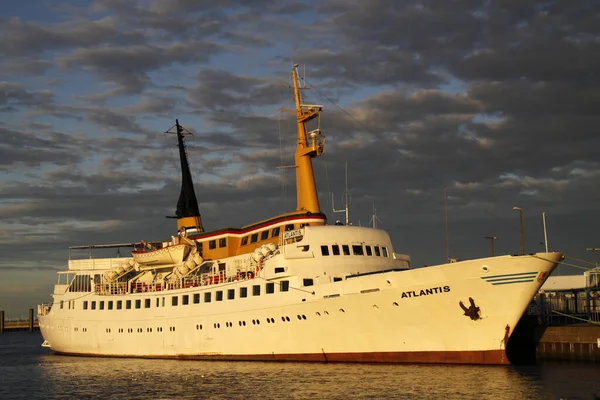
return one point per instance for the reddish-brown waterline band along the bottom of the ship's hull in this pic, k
(492, 357)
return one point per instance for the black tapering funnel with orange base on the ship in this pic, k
(187, 213)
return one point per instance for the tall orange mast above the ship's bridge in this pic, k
(310, 145)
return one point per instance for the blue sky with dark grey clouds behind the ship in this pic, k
(496, 100)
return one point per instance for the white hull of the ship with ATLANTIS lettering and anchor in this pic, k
(398, 316)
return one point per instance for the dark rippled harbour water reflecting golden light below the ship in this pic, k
(28, 371)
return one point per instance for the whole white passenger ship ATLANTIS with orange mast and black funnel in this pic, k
(288, 288)
